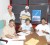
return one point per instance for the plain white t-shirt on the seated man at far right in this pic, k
(41, 27)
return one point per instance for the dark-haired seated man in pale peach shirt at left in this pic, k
(9, 31)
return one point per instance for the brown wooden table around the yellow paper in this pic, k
(42, 40)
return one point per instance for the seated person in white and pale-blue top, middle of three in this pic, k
(26, 27)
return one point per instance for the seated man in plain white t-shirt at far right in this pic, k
(43, 29)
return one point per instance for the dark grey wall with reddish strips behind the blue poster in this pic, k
(18, 6)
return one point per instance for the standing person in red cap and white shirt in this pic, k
(9, 15)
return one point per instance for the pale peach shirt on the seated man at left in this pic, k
(8, 30)
